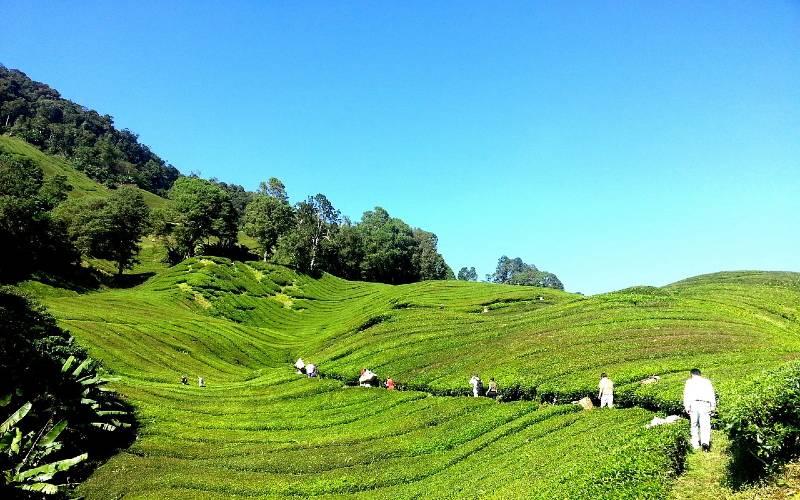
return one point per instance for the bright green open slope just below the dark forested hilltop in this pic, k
(81, 184)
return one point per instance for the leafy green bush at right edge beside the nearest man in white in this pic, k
(763, 423)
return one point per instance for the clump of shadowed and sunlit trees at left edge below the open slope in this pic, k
(41, 231)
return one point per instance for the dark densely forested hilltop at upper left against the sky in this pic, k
(38, 114)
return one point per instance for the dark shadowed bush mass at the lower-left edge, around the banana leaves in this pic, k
(31, 370)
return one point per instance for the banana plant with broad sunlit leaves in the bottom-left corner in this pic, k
(24, 455)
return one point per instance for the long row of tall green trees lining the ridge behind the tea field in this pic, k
(311, 236)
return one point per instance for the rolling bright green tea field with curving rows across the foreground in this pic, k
(258, 430)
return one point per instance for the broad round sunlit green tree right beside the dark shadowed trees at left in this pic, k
(108, 229)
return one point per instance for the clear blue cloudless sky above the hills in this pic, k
(612, 143)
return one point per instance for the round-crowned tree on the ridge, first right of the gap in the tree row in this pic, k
(266, 219)
